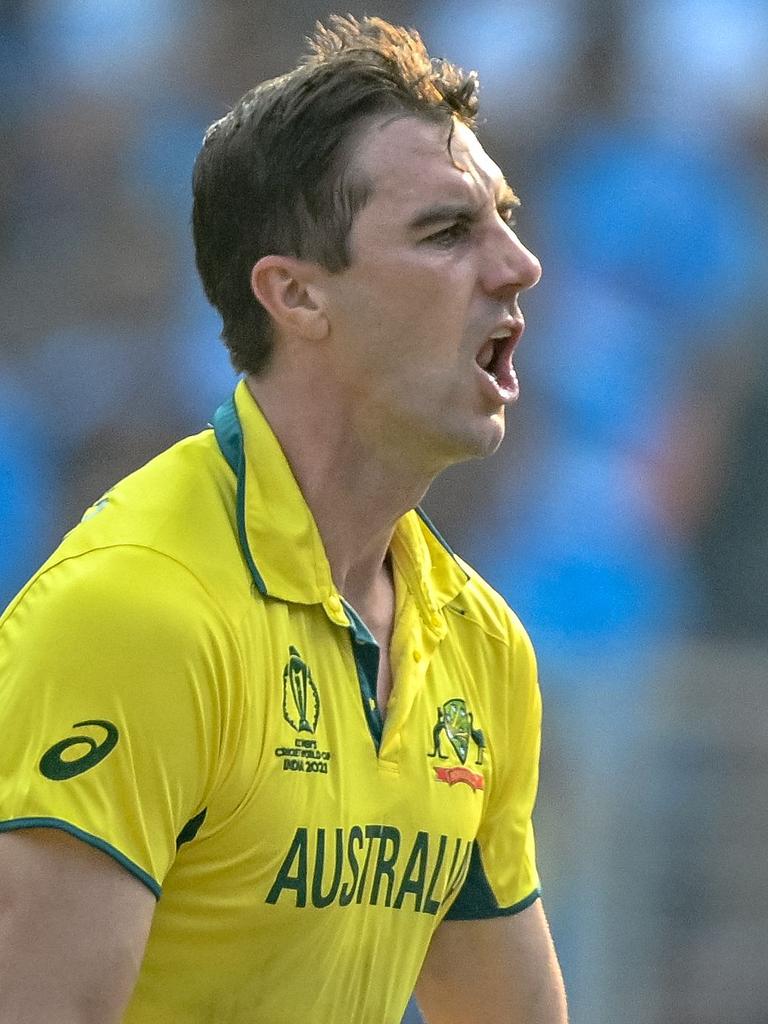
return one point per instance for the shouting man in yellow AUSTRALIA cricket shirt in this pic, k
(221, 696)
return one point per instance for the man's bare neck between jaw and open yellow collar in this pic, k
(356, 488)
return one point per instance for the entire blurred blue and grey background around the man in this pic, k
(626, 519)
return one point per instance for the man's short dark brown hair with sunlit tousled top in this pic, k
(276, 175)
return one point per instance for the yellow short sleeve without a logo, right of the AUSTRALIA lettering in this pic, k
(502, 879)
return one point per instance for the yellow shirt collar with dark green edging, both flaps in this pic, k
(279, 537)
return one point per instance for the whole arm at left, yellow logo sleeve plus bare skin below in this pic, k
(112, 667)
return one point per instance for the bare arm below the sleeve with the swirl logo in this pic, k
(73, 929)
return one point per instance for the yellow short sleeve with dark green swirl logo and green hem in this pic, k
(114, 667)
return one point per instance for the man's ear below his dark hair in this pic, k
(290, 291)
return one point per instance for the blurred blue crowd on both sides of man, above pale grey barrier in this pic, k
(630, 503)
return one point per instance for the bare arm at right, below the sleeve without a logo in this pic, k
(501, 971)
